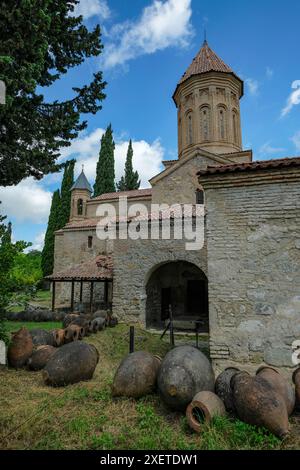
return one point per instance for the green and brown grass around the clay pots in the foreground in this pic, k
(84, 416)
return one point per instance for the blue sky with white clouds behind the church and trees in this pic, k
(148, 46)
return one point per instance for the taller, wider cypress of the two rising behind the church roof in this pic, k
(105, 173)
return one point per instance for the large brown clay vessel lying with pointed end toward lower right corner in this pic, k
(257, 403)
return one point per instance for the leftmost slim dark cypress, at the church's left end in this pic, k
(53, 225)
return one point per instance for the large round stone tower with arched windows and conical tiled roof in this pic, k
(207, 99)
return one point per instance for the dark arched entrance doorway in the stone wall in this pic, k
(181, 285)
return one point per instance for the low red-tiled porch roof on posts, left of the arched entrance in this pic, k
(100, 268)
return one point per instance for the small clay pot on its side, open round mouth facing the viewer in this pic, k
(203, 408)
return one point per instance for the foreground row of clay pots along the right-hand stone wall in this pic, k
(185, 380)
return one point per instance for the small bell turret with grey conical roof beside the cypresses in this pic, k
(81, 192)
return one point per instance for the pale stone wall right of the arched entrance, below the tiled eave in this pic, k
(253, 233)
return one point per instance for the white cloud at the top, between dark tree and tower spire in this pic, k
(161, 24)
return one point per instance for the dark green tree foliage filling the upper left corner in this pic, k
(40, 40)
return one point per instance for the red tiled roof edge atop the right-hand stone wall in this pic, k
(251, 166)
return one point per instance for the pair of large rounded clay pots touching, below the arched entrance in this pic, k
(183, 371)
